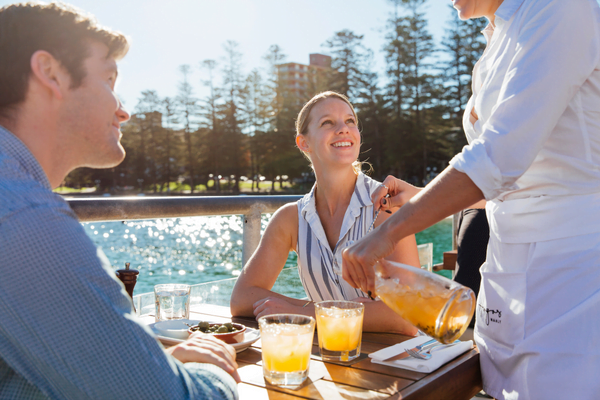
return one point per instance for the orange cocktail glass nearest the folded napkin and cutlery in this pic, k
(339, 326)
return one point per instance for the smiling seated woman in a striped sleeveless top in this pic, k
(337, 212)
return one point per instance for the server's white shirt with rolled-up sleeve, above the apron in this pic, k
(536, 144)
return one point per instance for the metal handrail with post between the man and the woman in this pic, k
(135, 208)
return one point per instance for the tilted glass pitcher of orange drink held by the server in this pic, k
(436, 305)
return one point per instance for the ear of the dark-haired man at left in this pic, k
(49, 73)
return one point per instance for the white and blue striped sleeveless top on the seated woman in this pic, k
(319, 267)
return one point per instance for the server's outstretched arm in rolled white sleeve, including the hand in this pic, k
(532, 99)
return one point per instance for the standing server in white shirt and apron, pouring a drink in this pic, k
(533, 126)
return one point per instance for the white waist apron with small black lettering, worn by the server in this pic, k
(538, 319)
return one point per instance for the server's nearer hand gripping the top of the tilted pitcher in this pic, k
(358, 260)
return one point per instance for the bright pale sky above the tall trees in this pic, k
(166, 34)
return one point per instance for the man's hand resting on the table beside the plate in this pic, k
(203, 348)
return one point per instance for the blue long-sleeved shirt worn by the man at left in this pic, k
(67, 328)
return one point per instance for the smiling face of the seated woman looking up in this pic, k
(333, 136)
